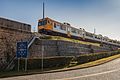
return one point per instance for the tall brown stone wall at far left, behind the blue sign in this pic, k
(10, 33)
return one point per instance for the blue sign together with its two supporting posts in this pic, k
(22, 52)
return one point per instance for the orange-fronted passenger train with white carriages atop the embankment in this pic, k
(51, 27)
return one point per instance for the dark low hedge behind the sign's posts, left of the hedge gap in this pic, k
(54, 62)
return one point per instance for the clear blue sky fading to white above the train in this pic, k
(103, 15)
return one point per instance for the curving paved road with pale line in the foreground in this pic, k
(107, 71)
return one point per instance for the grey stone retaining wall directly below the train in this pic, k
(61, 48)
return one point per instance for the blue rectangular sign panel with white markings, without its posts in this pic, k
(22, 50)
